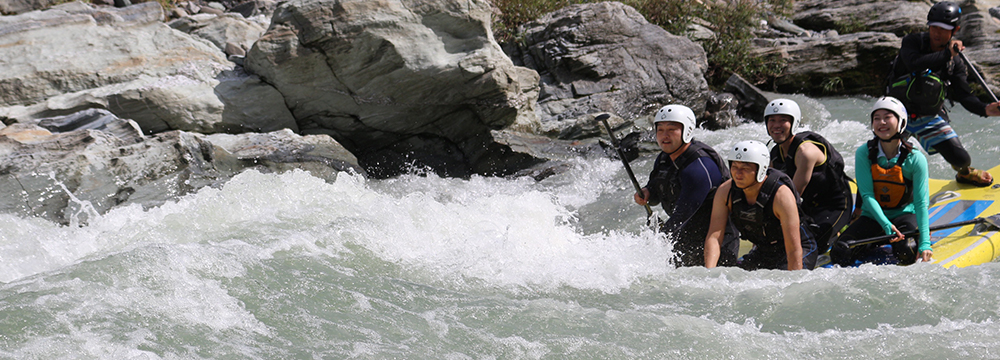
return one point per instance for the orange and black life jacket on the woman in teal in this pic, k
(891, 189)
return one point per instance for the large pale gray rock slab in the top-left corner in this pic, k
(73, 57)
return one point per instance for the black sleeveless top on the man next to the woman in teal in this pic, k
(829, 186)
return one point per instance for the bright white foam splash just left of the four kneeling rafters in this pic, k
(504, 234)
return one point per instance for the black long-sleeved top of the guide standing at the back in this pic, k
(915, 55)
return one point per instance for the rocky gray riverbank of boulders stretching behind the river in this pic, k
(109, 105)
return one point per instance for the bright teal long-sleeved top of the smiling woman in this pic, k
(915, 170)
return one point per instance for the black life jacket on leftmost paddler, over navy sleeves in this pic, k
(668, 180)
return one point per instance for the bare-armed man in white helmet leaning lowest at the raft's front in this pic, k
(765, 209)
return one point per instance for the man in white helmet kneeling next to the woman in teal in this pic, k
(816, 169)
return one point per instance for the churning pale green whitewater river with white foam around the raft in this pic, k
(420, 267)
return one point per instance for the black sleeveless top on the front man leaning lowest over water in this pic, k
(757, 222)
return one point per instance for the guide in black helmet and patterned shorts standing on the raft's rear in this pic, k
(925, 71)
